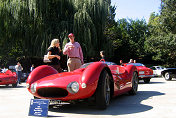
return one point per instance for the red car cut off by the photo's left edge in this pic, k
(8, 77)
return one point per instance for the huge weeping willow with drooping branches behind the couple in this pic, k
(28, 26)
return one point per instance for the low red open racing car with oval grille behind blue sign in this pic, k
(95, 81)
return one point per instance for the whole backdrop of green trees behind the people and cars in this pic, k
(28, 26)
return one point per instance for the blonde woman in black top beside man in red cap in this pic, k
(54, 52)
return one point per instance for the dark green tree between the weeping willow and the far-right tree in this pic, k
(128, 37)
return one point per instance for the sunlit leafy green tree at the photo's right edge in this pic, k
(162, 41)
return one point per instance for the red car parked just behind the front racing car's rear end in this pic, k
(144, 73)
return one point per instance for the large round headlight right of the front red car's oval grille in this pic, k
(73, 87)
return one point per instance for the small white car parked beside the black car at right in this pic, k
(157, 70)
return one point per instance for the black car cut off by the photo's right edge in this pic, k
(169, 73)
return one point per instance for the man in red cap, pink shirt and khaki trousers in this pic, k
(74, 52)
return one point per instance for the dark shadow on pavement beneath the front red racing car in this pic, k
(123, 104)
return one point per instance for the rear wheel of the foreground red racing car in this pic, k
(135, 82)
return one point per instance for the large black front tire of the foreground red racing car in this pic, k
(103, 91)
